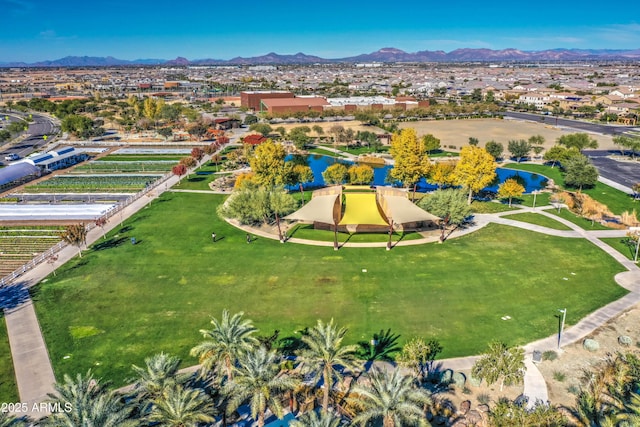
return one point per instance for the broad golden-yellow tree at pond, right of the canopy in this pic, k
(475, 170)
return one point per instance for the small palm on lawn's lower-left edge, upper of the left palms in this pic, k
(160, 372)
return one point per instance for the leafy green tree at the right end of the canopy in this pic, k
(450, 205)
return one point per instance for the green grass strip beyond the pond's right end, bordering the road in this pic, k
(616, 200)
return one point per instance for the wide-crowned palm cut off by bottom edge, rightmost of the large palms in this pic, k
(391, 398)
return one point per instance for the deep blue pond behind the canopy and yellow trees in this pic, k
(319, 163)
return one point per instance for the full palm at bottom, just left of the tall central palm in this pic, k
(259, 380)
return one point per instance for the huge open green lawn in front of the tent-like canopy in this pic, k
(121, 303)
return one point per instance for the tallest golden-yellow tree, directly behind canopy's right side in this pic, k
(410, 156)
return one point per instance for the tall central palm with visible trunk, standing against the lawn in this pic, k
(325, 354)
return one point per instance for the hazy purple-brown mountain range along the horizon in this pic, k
(383, 55)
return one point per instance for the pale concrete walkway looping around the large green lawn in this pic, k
(34, 373)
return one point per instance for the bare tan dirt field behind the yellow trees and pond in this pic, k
(457, 132)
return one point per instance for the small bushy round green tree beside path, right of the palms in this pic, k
(500, 363)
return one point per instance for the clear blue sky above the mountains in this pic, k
(35, 30)
